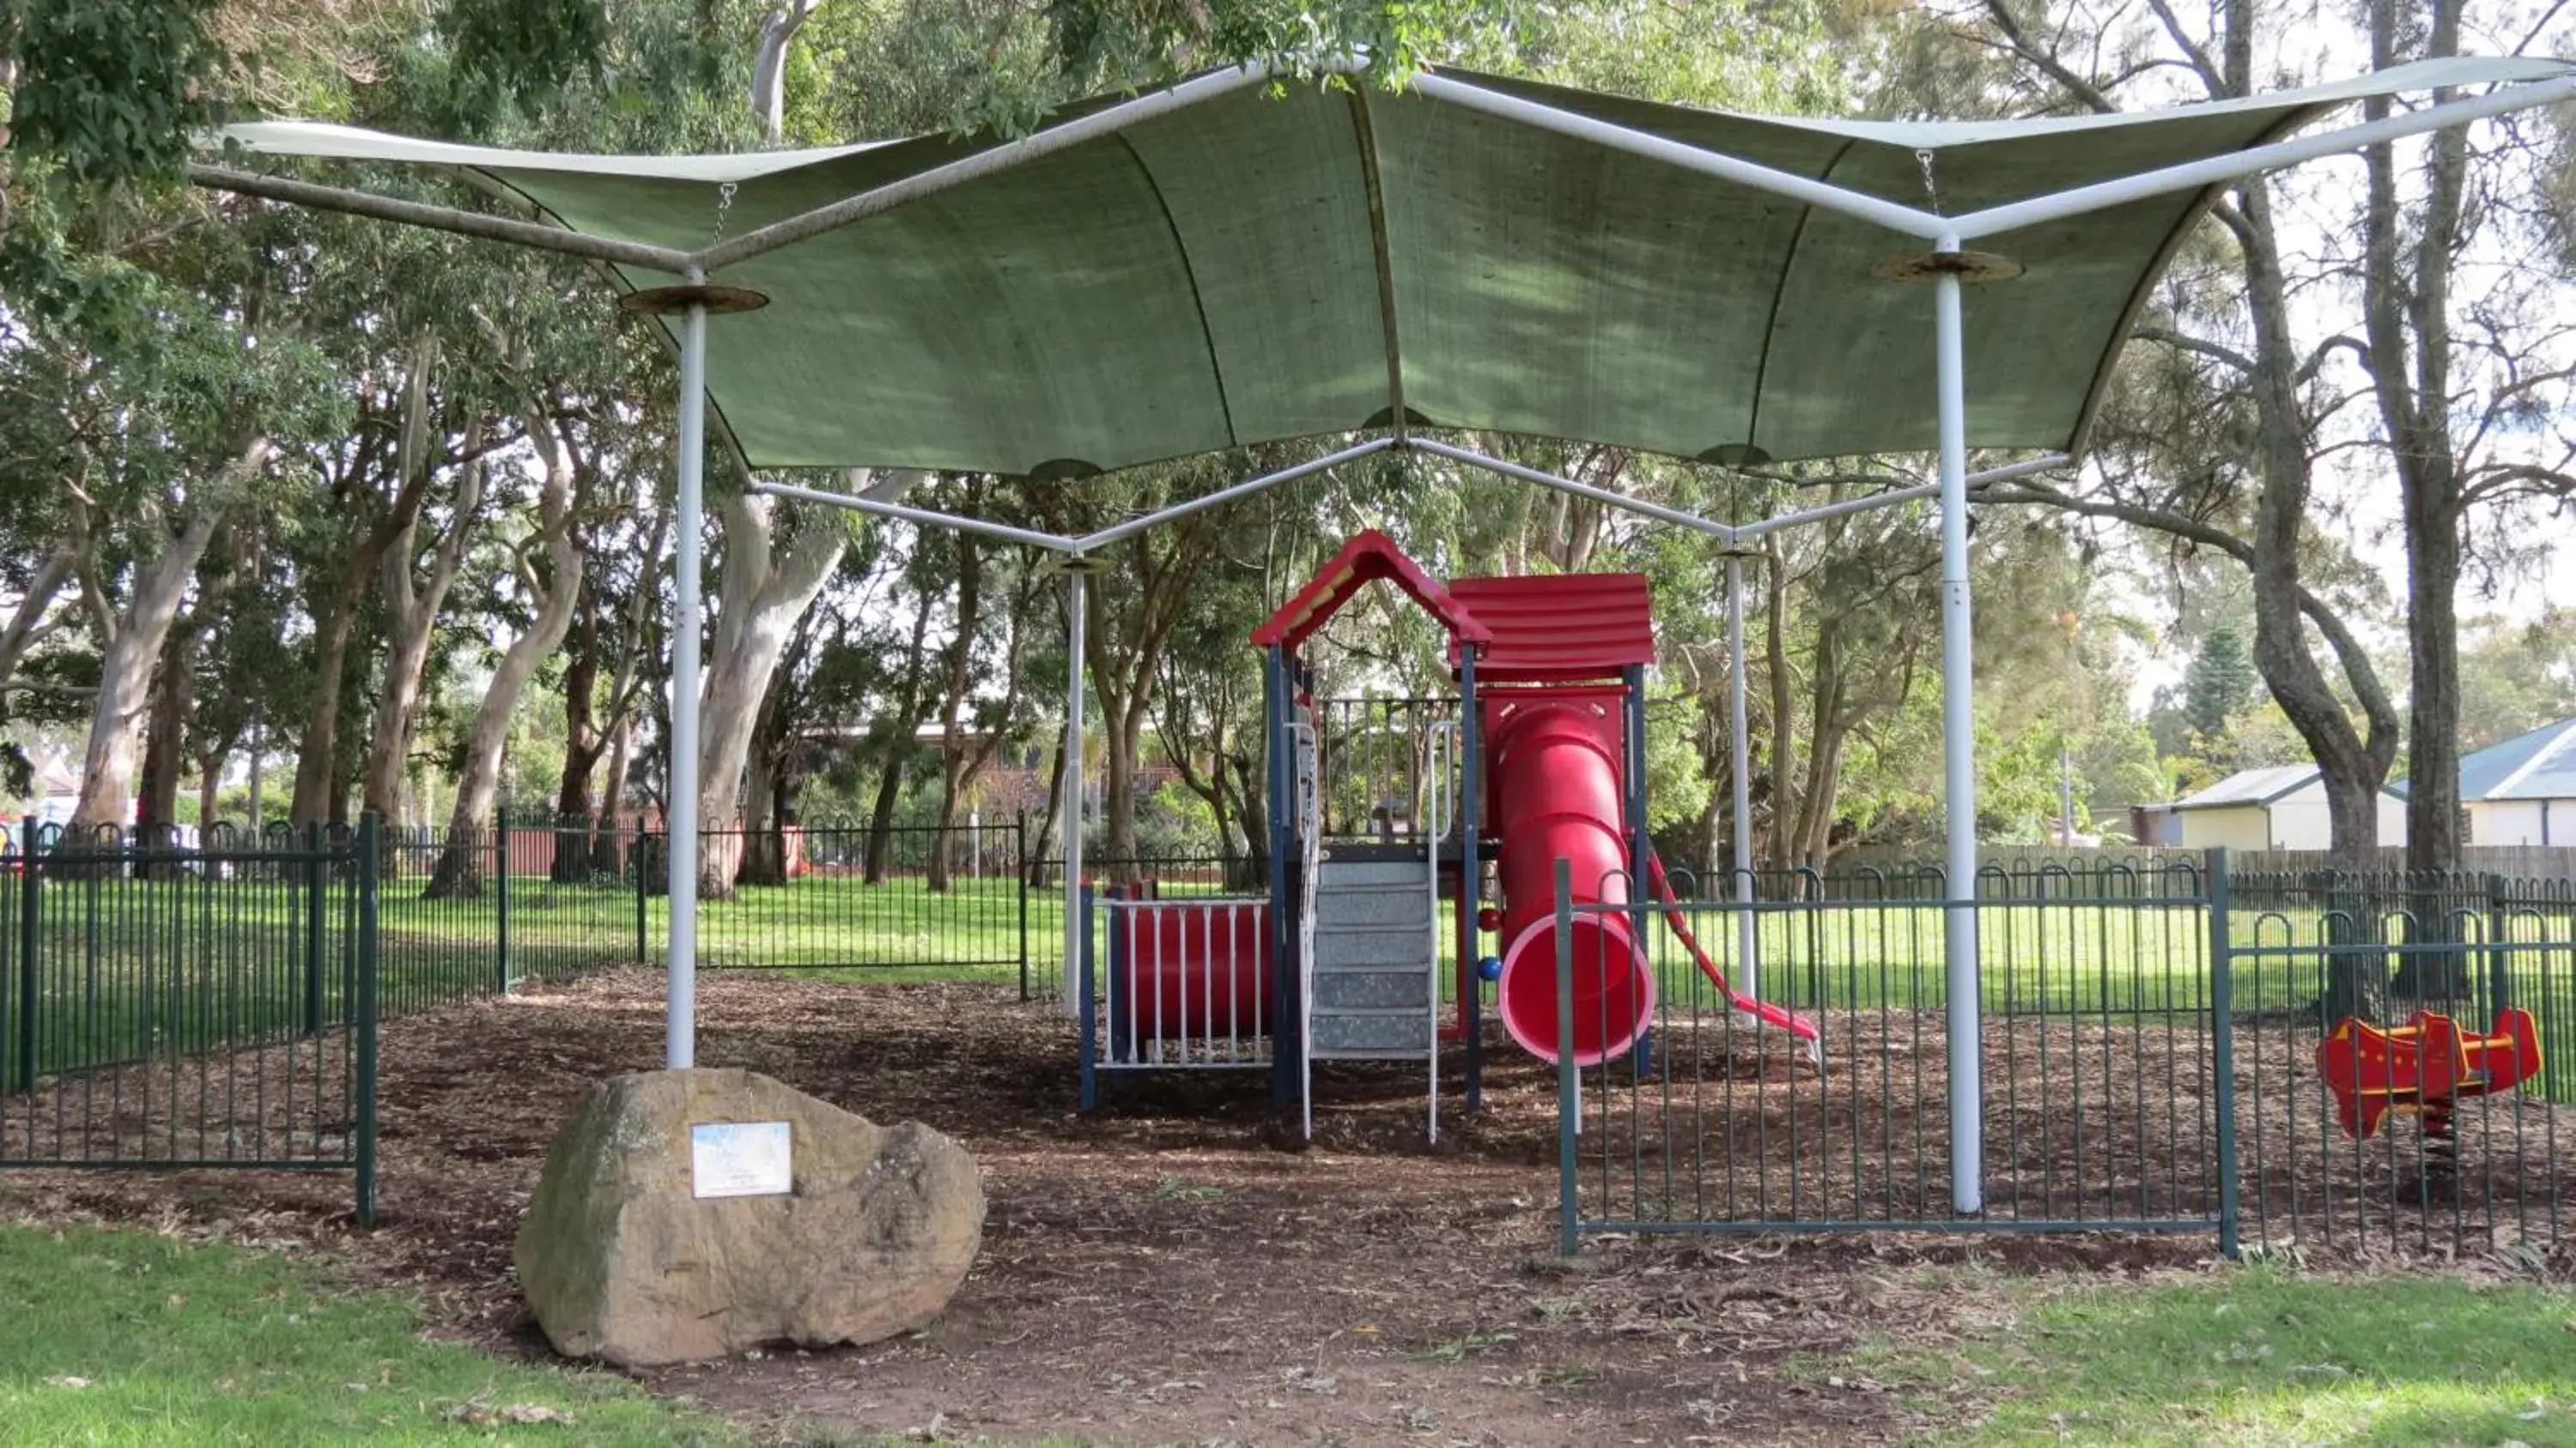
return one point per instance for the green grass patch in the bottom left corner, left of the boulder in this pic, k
(133, 1338)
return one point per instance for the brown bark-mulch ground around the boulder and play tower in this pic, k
(1171, 1269)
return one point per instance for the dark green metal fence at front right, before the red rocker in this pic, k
(2150, 1050)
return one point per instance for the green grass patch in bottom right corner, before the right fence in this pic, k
(2255, 1359)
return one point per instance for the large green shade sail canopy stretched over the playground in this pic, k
(1256, 267)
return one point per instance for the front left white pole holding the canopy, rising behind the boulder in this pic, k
(681, 823)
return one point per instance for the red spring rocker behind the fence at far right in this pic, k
(2423, 1068)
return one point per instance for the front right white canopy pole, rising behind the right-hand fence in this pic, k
(1959, 748)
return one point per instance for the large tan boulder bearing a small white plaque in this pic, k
(625, 1261)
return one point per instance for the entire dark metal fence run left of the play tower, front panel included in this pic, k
(213, 998)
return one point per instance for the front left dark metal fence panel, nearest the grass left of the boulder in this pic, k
(200, 1006)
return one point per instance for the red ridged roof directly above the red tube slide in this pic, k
(1560, 627)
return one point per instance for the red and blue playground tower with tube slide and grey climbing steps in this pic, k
(1539, 759)
